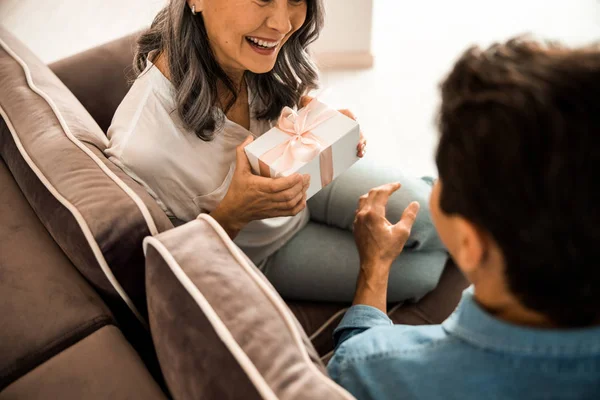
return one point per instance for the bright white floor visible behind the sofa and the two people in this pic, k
(414, 43)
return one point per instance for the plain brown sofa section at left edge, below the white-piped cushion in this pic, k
(45, 304)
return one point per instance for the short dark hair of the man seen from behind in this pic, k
(519, 156)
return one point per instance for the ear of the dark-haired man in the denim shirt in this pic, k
(471, 247)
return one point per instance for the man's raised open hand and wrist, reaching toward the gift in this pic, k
(379, 242)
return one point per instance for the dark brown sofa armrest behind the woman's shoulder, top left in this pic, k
(100, 77)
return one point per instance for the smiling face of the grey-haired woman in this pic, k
(248, 34)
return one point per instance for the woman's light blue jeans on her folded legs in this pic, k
(321, 263)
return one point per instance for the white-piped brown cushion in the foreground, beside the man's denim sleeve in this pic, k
(220, 329)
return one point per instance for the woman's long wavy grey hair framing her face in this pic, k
(194, 72)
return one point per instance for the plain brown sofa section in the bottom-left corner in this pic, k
(101, 366)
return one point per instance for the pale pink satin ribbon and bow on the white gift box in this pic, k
(302, 145)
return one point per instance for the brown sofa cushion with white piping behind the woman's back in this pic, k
(52, 146)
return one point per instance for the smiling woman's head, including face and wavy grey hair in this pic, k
(213, 50)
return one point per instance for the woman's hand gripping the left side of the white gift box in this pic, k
(251, 197)
